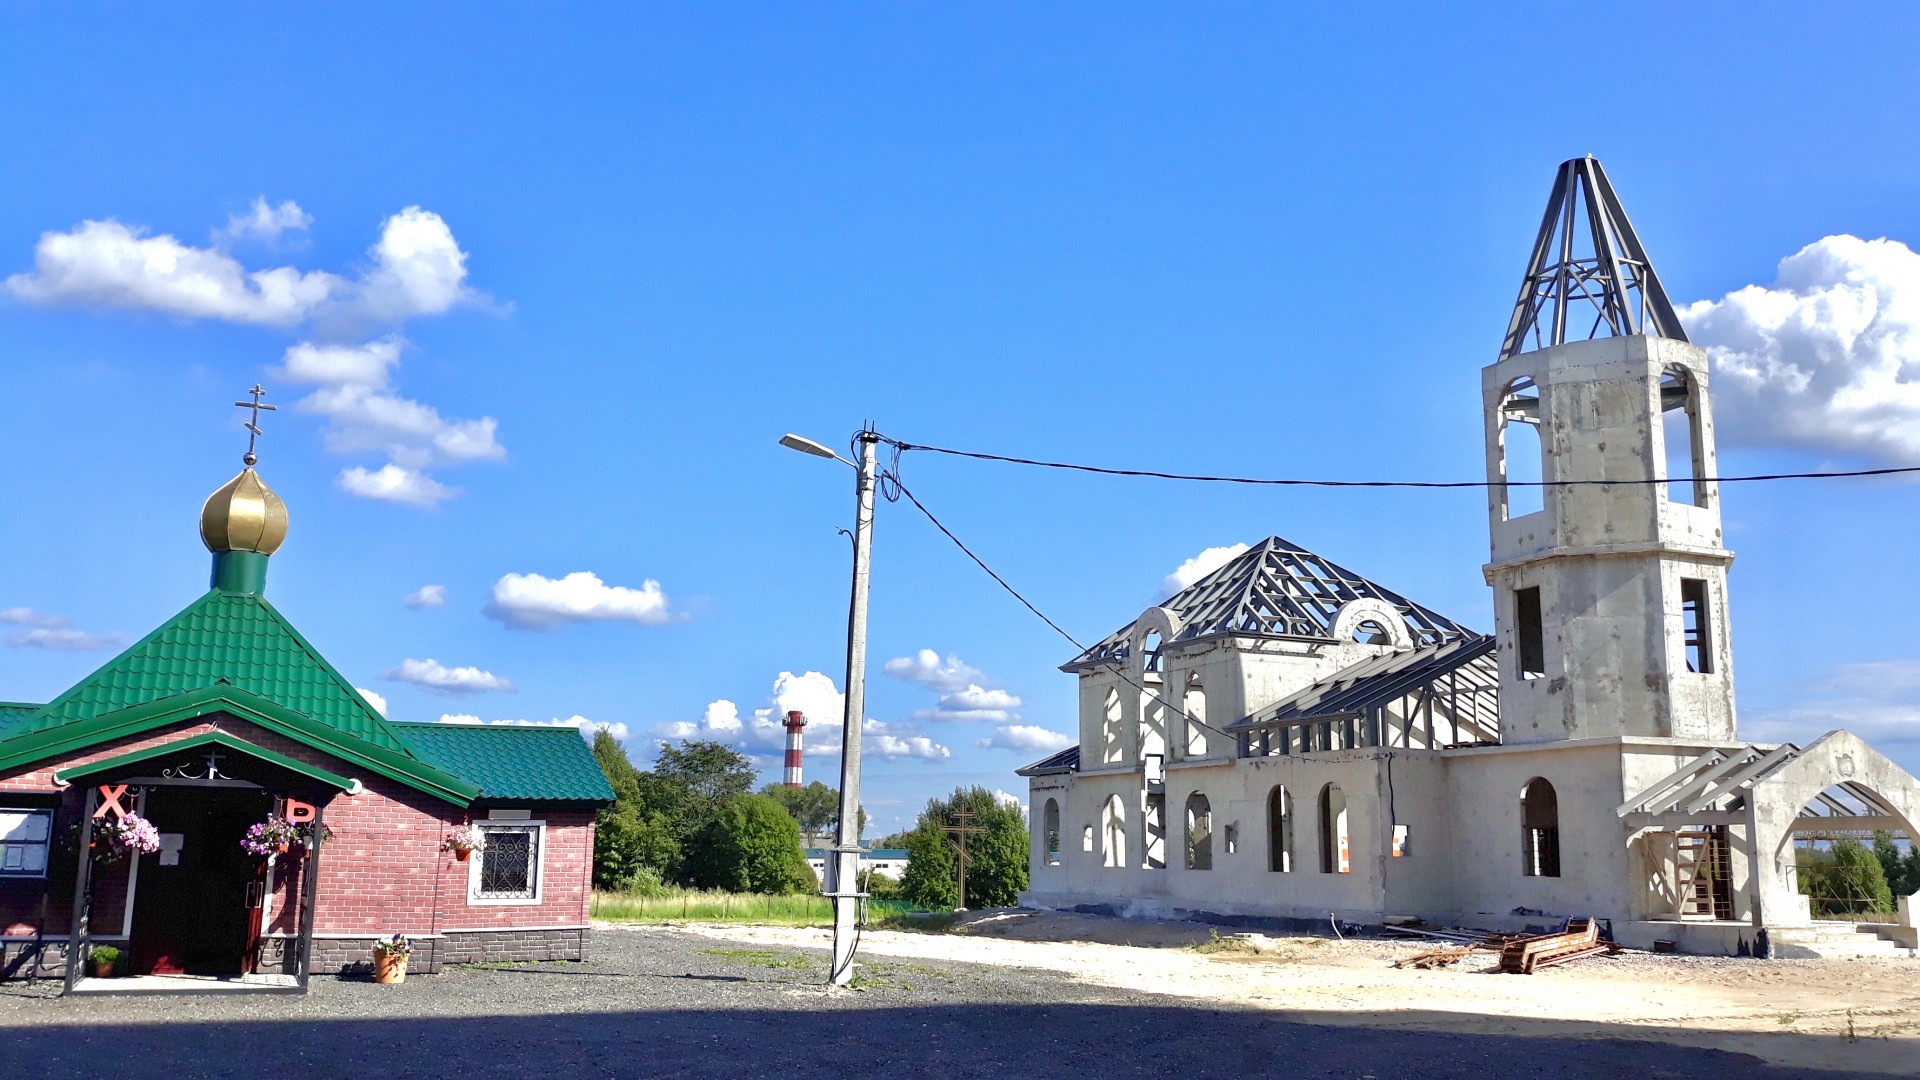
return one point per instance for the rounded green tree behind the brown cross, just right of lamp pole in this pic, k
(997, 858)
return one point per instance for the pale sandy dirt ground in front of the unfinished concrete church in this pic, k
(1858, 1016)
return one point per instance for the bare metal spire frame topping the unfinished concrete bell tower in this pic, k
(1606, 276)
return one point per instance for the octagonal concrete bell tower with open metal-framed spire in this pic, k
(1610, 581)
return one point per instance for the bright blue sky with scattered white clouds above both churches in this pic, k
(565, 280)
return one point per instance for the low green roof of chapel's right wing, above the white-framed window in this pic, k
(514, 762)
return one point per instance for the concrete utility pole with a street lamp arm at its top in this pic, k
(844, 870)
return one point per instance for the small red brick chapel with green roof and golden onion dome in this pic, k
(228, 718)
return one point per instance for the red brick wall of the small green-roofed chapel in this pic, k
(383, 871)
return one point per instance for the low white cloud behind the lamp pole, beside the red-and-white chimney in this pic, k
(815, 695)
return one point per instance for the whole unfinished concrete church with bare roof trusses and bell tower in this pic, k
(1287, 739)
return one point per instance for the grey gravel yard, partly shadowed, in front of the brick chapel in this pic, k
(660, 1002)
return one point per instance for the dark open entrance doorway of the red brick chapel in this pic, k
(193, 916)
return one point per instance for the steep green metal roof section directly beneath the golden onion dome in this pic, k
(224, 639)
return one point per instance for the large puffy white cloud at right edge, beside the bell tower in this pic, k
(1825, 358)
